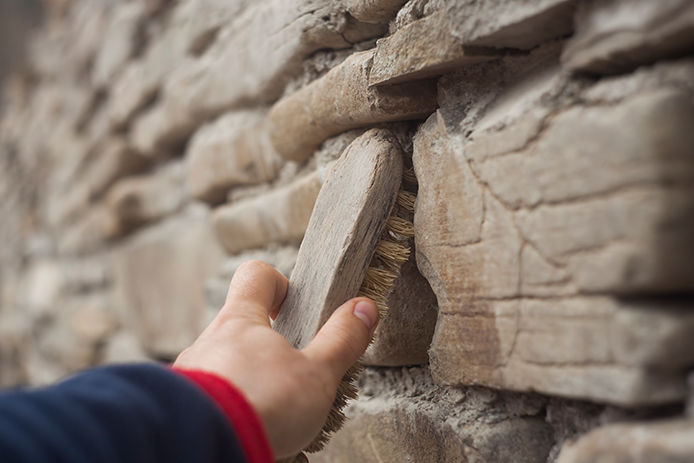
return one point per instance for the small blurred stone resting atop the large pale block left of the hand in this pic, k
(140, 199)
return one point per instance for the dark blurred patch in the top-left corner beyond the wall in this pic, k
(17, 17)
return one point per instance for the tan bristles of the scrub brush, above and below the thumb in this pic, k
(392, 251)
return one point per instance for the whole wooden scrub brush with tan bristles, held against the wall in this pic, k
(358, 237)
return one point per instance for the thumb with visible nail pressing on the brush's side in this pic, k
(345, 336)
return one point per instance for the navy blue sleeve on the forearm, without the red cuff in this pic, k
(134, 413)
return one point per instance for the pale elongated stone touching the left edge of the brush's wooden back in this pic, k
(281, 215)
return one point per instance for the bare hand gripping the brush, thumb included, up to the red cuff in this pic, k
(292, 390)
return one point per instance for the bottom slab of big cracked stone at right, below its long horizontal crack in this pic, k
(589, 347)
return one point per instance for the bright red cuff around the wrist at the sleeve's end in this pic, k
(242, 417)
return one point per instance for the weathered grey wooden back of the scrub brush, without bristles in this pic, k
(347, 221)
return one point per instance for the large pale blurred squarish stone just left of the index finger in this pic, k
(160, 276)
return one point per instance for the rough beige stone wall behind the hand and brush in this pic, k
(150, 147)
